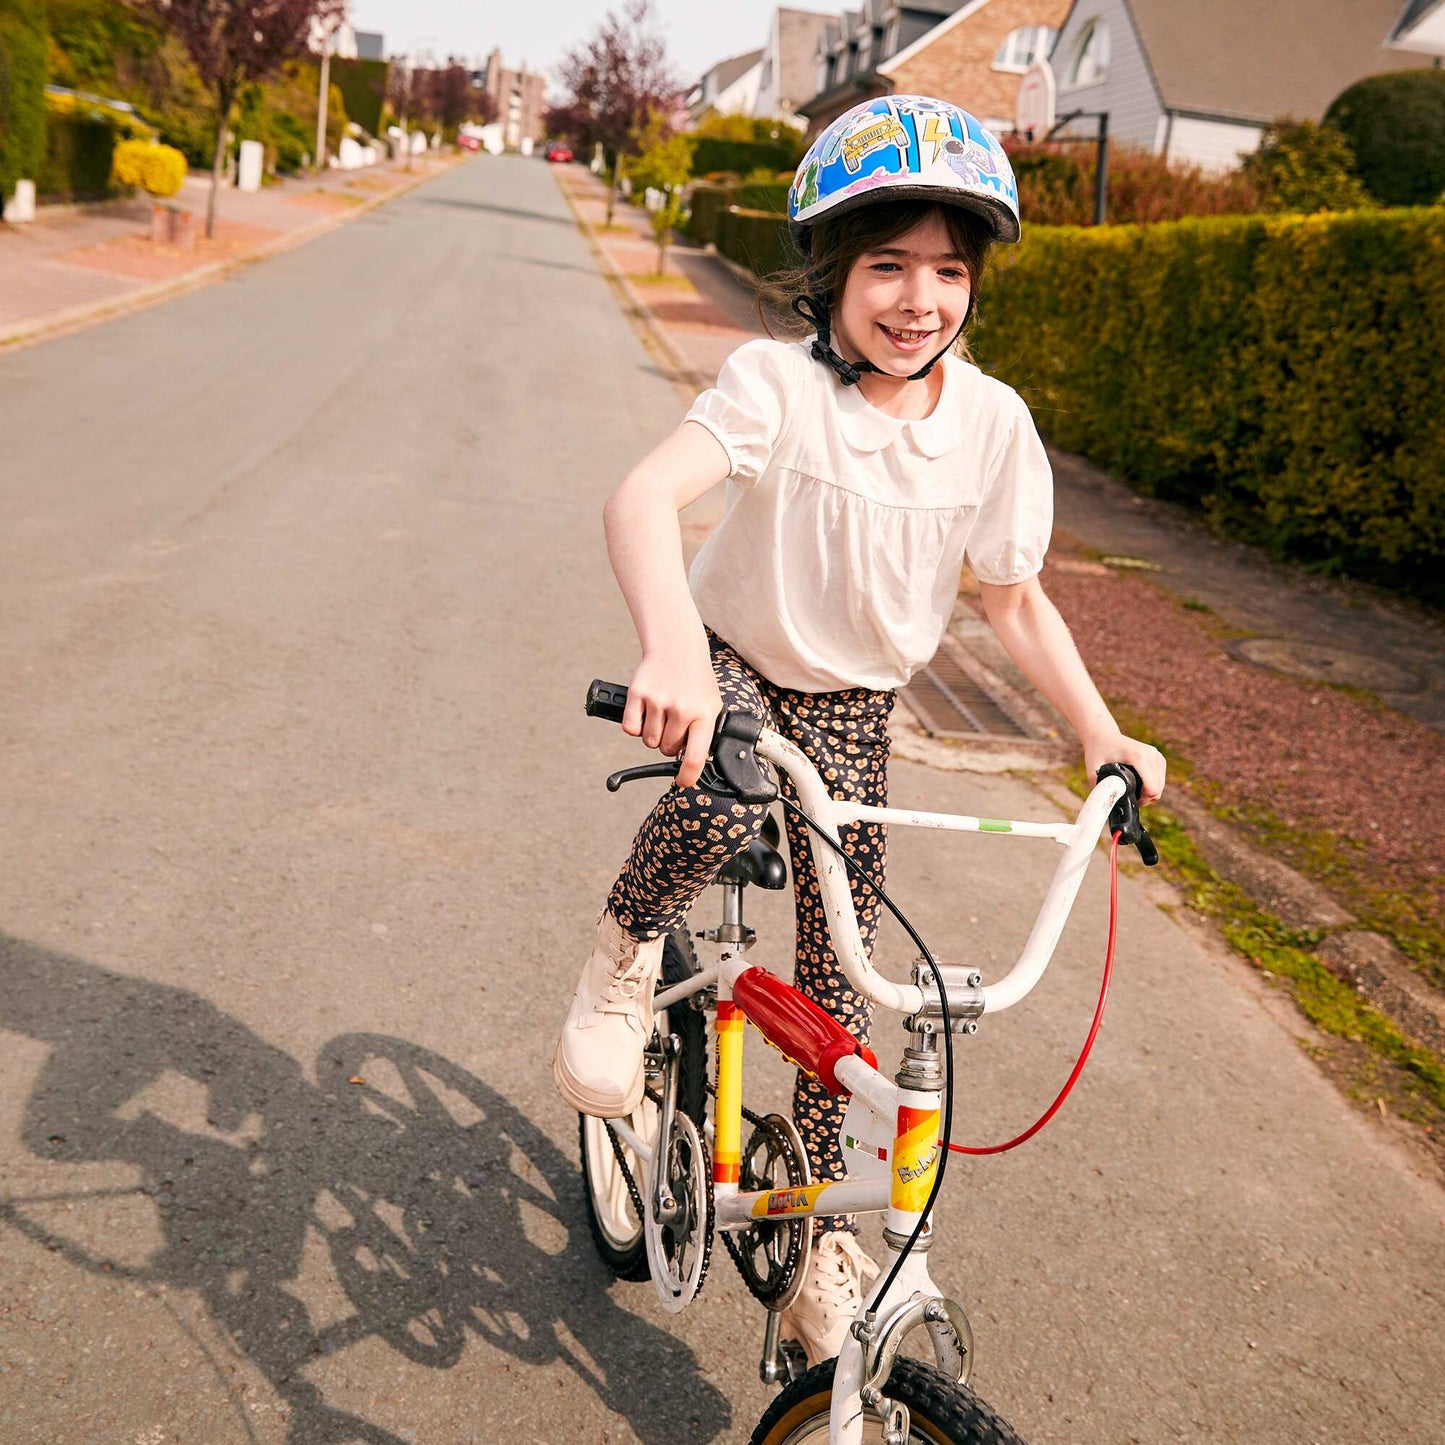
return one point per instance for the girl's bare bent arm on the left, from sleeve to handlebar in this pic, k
(673, 703)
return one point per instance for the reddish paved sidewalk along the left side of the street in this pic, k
(77, 264)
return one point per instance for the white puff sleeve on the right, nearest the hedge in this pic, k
(1015, 519)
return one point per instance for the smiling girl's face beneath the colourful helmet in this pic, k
(907, 301)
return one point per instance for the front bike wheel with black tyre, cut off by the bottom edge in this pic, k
(941, 1412)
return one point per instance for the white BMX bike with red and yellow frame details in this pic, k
(664, 1181)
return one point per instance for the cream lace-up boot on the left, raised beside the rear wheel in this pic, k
(599, 1066)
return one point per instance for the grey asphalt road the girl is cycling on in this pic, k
(301, 582)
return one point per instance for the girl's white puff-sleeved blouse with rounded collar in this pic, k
(845, 534)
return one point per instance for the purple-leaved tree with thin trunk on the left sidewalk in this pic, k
(235, 44)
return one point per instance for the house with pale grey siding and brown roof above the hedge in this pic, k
(1199, 83)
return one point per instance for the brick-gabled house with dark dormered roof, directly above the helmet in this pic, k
(972, 53)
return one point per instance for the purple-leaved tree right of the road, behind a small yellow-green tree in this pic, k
(615, 82)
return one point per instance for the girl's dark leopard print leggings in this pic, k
(690, 834)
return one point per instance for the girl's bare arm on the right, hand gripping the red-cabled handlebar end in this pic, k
(1035, 637)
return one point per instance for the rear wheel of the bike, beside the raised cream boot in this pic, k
(612, 1215)
